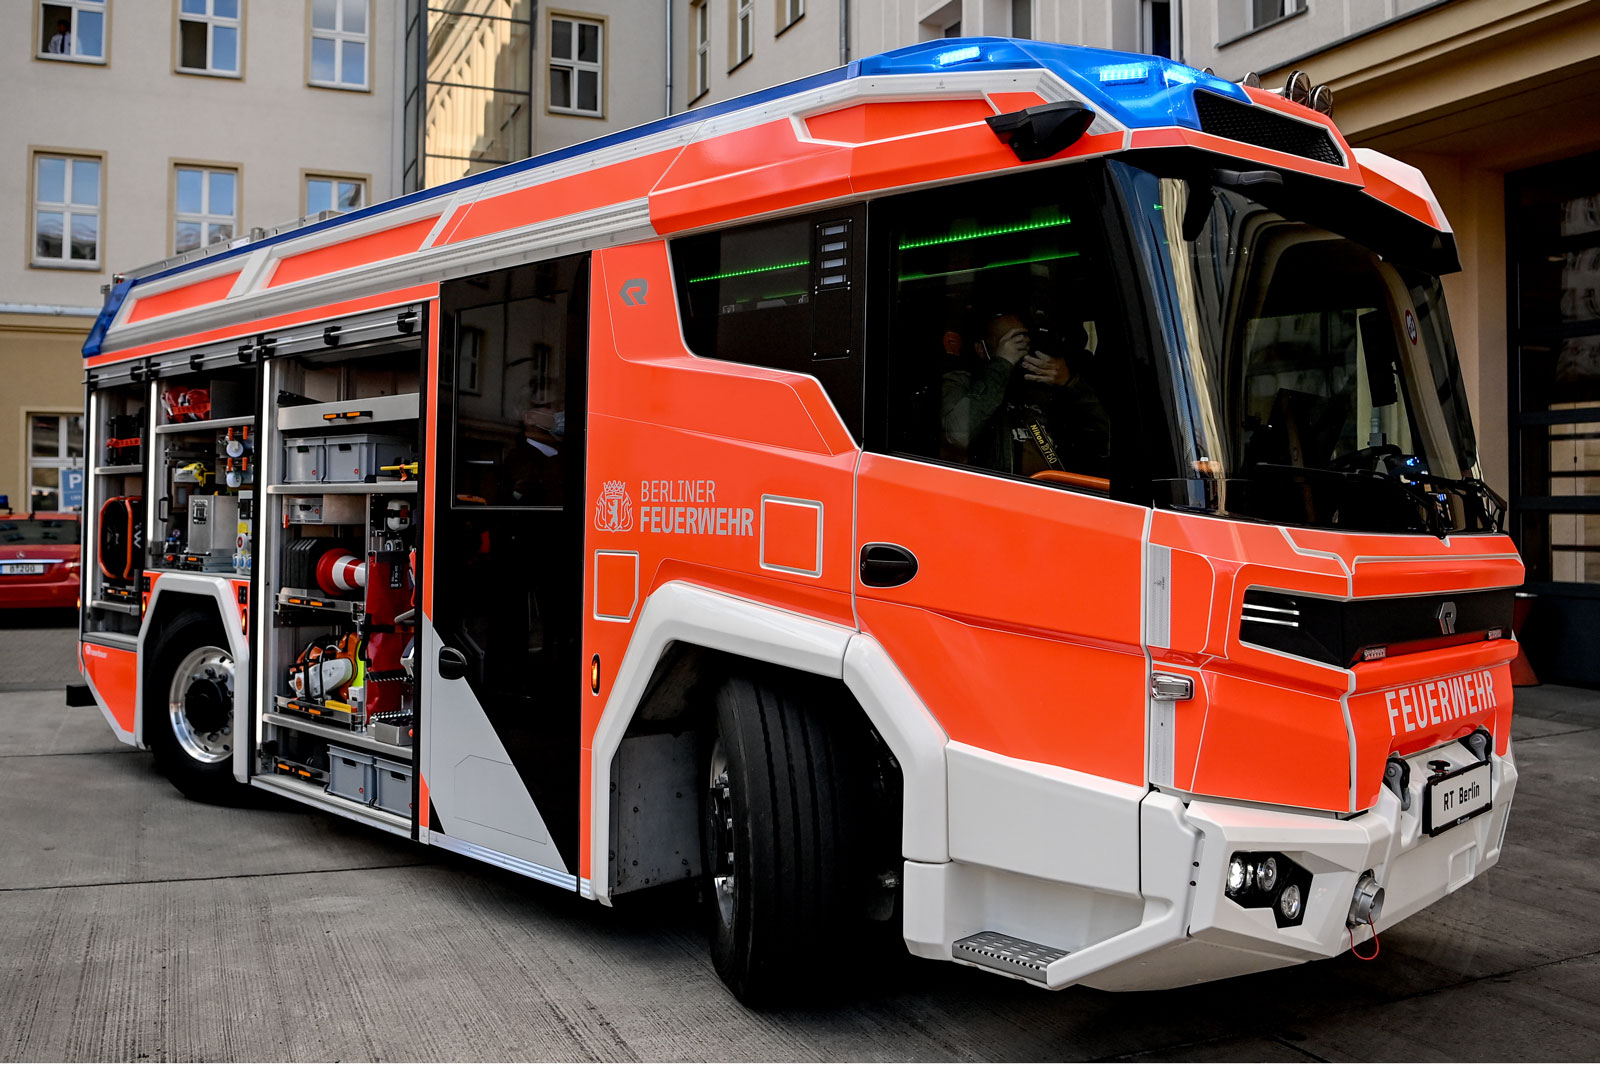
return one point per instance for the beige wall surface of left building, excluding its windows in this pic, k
(140, 116)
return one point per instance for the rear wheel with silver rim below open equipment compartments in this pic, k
(188, 709)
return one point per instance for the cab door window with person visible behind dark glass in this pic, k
(1004, 351)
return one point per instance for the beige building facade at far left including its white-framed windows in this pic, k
(142, 129)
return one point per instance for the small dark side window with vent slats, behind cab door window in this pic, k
(783, 295)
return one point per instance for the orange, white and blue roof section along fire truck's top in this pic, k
(906, 118)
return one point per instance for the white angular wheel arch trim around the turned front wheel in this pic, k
(689, 636)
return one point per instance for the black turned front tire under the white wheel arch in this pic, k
(785, 879)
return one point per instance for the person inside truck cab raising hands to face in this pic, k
(1018, 402)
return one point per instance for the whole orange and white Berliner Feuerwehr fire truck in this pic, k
(1014, 497)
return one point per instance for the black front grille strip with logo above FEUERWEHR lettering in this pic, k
(1345, 633)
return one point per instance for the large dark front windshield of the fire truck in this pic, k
(1322, 385)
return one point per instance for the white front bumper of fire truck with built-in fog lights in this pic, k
(1182, 929)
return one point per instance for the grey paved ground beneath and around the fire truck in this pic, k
(138, 925)
